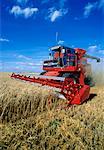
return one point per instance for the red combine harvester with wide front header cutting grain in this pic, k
(68, 70)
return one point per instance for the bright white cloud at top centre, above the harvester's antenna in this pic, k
(55, 14)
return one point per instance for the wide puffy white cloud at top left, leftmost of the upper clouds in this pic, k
(26, 12)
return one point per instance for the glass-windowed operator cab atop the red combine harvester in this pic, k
(61, 56)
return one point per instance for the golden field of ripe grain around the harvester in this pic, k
(31, 118)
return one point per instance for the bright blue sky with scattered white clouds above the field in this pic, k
(28, 29)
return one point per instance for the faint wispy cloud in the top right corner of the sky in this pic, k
(89, 8)
